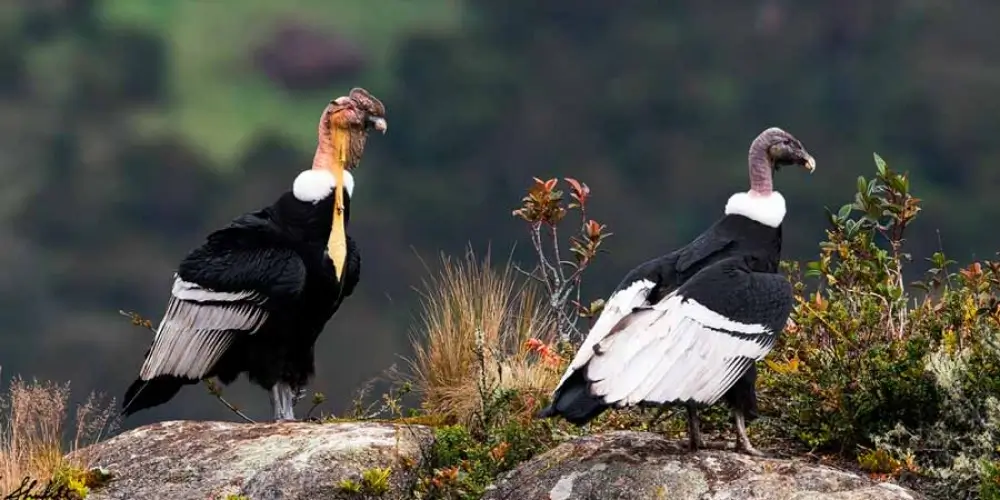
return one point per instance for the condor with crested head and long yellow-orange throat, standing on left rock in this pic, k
(256, 294)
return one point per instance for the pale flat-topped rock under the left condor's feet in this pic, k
(287, 461)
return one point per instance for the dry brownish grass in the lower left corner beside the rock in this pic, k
(36, 432)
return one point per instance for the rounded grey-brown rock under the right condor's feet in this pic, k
(642, 466)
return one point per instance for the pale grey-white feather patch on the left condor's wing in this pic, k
(193, 334)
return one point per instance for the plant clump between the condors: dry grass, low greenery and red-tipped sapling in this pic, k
(492, 346)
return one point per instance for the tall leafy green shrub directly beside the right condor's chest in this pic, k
(851, 363)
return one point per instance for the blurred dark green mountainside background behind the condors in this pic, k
(131, 128)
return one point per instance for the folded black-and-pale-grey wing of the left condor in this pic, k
(223, 289)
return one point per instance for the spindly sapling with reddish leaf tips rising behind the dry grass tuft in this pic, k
(543, 209)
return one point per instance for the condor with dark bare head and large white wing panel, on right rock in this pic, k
(687, 327)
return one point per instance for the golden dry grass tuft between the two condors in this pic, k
(481, 328)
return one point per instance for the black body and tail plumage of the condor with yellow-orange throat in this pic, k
(278, 252)
